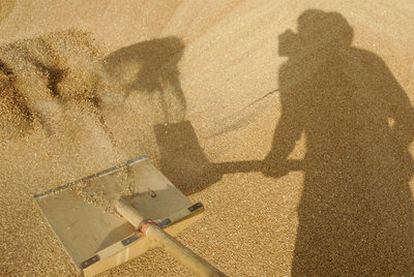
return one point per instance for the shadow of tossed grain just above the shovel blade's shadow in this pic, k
(151, 68)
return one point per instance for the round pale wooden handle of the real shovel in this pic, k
(159, 237)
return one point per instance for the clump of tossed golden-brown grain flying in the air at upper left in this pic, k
(40, 76)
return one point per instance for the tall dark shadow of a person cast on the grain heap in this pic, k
(355, 215)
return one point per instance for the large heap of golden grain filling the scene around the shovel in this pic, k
(214, 58)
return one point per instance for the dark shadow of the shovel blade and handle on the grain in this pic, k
(184, 162)
